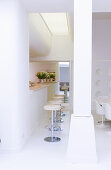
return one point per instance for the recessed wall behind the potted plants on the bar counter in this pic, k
(35, 67)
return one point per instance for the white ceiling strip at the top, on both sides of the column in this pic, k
(63, 5)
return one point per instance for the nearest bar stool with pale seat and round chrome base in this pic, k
(52, 108)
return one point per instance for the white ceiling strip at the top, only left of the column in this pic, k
(48, 5)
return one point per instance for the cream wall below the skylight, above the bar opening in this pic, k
(62, 50)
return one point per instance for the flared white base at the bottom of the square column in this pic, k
(81, 146)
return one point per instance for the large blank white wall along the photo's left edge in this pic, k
(14, 59)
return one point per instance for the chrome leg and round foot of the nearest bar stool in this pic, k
(52, 138)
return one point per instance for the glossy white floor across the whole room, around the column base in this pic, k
(40, 155)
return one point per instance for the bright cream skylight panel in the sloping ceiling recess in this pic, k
(56, 22)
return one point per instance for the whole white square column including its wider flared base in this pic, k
(82, 148)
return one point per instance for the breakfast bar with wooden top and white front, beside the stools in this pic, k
(39, 94)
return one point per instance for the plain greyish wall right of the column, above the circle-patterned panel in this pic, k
(101, 39)
